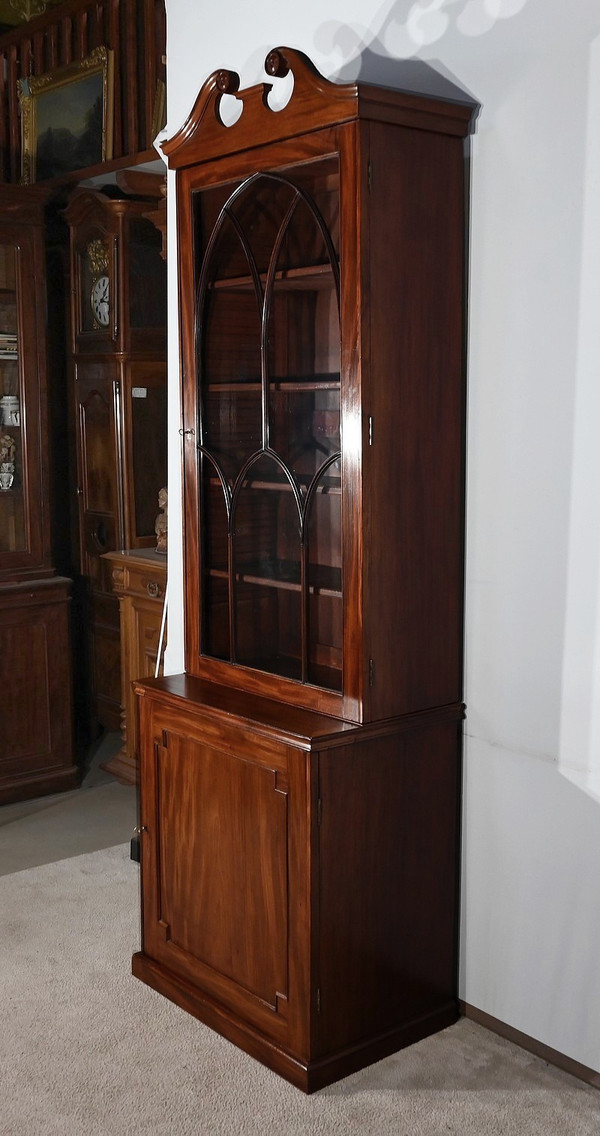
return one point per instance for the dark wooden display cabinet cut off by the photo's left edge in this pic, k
(36, 679)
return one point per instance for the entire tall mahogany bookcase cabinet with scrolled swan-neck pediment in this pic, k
(301, 783)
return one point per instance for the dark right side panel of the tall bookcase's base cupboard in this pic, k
(389, 855)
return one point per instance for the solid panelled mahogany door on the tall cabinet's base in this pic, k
(221, 831)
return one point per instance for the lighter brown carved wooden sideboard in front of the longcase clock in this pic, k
(139, 581)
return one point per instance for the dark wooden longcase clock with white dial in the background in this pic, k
(119, 346)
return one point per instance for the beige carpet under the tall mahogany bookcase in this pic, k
(88, 1050)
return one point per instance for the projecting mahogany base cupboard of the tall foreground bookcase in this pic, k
(299, 875)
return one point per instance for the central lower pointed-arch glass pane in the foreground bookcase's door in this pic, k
(268, 574)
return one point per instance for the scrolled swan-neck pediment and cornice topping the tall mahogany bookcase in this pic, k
(315, 104)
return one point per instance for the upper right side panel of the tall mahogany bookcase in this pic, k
(415, 398)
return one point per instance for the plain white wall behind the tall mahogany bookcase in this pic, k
(531, 918)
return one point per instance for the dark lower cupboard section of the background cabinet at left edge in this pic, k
(36, 690)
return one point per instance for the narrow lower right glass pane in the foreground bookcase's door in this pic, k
(324, 530)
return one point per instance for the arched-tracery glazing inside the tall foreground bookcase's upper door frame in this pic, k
(268, 366)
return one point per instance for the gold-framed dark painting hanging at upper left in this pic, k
(66, 119)
